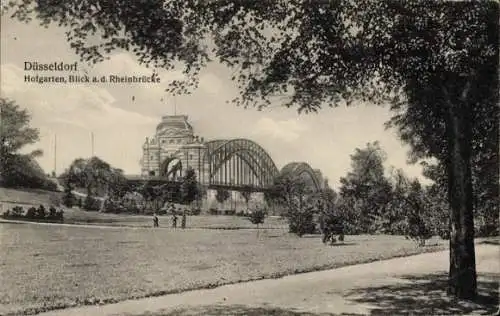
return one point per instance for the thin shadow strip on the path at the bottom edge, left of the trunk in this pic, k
(229, 310)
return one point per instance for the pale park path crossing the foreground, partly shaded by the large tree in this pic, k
(397, 286)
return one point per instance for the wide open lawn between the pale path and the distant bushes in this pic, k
(52, 266)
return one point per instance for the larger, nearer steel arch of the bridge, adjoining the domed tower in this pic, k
(238, 162)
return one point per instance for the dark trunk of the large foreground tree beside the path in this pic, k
(462, 273)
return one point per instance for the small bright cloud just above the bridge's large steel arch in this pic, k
(286, 130)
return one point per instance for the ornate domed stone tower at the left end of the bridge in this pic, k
(170, 145)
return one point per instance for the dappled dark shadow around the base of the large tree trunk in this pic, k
(426, 295)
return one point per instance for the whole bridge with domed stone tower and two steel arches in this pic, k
(232, 164)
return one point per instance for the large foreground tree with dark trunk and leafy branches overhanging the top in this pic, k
(441, 59)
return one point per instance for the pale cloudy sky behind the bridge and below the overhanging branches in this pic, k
(121, 116)
